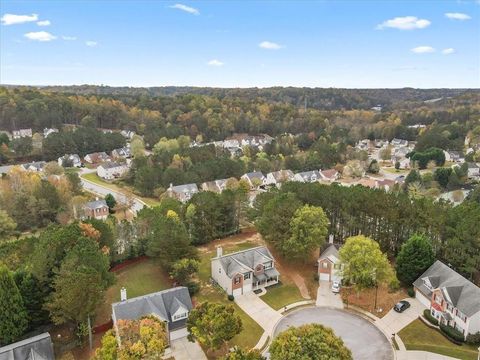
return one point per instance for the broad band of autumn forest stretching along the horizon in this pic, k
(342, 115)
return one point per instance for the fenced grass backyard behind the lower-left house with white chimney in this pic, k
(139, 279)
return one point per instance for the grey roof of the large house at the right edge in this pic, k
(460, 292)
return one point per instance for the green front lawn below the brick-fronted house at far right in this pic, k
(418, 336)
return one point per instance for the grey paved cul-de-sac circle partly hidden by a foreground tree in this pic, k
(362, 337)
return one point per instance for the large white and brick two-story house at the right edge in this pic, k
(452, 299)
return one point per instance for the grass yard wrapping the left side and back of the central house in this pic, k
(251, 330)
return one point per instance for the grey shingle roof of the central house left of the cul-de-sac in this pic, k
(244, 261)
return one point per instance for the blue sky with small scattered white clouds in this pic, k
(362, 44)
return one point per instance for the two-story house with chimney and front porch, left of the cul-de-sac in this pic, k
(244, 271)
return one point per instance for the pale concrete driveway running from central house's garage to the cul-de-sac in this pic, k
(258, 310)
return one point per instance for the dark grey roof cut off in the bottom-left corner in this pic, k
(38, 347)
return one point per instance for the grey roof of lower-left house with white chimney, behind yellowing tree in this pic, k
(162, 304)
